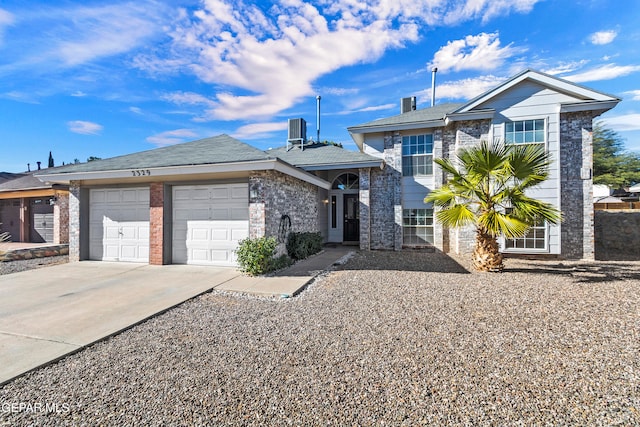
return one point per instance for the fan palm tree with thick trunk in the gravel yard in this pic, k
(488, 191)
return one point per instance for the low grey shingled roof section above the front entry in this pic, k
(324, 157)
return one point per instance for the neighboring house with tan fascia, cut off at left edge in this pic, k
(33, 211)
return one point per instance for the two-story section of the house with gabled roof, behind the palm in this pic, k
(529, 108)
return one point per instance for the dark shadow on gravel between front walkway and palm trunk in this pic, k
(434, 262)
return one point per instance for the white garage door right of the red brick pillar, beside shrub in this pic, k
(208, 222)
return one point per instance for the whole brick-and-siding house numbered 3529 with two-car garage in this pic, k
(191, 203)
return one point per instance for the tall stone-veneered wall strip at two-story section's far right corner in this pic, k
(576, 186)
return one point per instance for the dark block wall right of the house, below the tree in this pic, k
(617, 234)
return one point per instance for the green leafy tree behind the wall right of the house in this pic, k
(612, 165)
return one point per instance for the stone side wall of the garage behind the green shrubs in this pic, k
(273, 194)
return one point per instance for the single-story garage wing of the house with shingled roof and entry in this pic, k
(191, 203)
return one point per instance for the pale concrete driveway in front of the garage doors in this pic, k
(50, 312)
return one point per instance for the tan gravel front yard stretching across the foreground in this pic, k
(387, 339)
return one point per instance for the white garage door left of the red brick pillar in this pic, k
(119, 224)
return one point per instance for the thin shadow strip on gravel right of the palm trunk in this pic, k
(583, 272)
